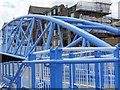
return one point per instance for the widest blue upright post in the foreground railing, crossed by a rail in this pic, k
(56, 69)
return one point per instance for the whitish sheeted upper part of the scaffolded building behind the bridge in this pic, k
(95, 6)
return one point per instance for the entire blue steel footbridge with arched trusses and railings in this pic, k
(93, 65)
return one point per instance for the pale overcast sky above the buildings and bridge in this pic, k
(16, 8)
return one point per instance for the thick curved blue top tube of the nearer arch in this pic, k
(80, 32)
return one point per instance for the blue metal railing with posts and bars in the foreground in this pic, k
(59, 72)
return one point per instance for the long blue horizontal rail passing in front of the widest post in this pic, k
(77, 61)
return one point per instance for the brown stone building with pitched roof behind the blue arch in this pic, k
(60, 10)
